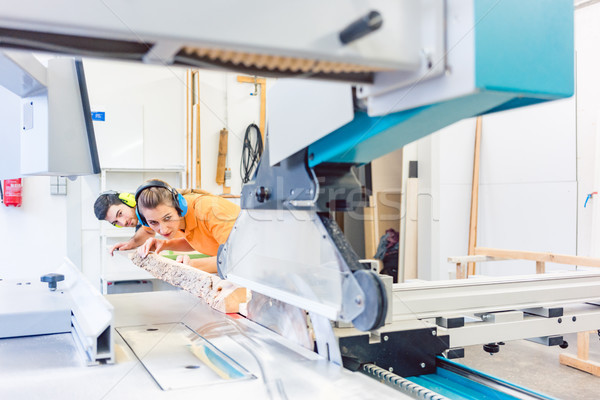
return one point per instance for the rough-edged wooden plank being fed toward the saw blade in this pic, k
(220, 294)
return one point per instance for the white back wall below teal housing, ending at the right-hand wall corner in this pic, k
(527, 194)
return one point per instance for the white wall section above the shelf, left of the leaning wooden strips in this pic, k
(145, 119)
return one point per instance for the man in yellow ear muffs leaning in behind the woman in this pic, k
(118, 209)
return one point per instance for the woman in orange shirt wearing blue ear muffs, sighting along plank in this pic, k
(205, 221)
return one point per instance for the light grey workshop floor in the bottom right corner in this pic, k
(536, 367)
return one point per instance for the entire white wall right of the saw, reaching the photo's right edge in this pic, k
(538, 166)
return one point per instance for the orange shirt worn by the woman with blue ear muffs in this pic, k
(208, 221)
